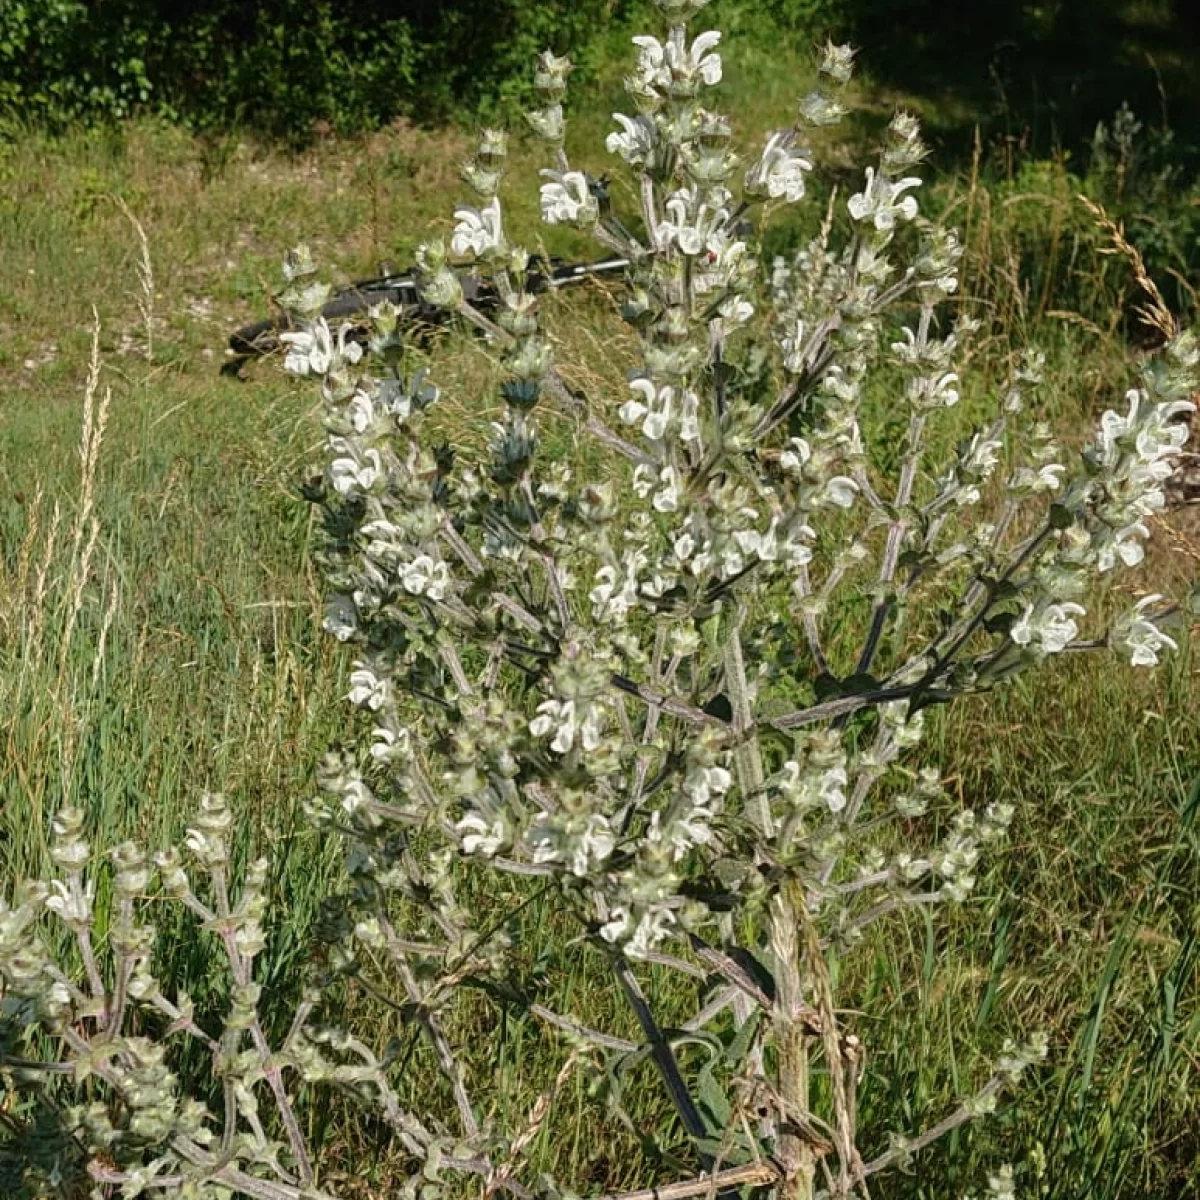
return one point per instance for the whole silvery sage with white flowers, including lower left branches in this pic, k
(677, 683)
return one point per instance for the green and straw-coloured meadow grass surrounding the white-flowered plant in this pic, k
(196, 661)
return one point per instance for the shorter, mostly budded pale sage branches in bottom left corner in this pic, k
(118, 1027)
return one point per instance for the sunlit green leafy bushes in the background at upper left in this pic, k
(283, 67)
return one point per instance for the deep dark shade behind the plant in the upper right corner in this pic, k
(1040, 74)
